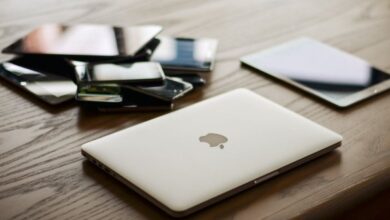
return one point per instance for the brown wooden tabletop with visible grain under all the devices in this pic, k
(44, 176)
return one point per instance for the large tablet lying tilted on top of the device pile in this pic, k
(102, 41)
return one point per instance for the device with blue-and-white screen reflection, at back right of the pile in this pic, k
(186, 53)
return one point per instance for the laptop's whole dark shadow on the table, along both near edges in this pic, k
(284, 185)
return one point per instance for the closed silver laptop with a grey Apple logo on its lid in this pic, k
(218, 148)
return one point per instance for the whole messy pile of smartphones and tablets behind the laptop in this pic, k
(108, 68)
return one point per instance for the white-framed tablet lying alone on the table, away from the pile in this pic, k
(326, 72)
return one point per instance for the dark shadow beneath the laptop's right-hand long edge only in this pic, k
(283, 186)
